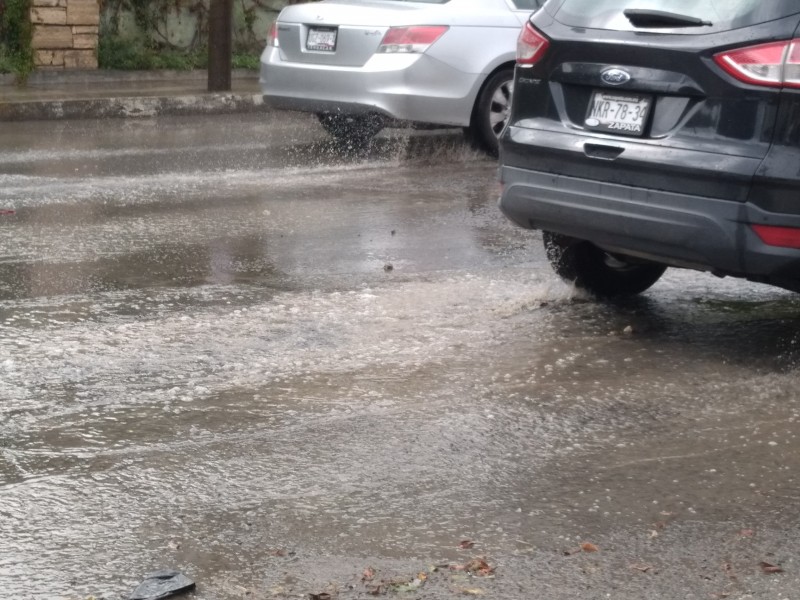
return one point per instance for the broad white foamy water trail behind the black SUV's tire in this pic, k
(205, 350)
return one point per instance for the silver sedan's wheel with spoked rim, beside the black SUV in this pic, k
(491, 110)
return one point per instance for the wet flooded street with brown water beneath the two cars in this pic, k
(228, 350)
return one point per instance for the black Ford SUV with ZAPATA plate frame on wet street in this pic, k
(653, 133)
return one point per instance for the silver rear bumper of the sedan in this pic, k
(410, 87)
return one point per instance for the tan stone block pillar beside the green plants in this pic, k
(65, 33)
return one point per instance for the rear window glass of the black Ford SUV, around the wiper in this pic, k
(723, 14)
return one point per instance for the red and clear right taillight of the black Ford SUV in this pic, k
(776, 64)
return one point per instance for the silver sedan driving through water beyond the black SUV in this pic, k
(363, 64)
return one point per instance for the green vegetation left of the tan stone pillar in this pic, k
(16, 55)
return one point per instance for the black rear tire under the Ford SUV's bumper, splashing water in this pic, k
(598, 272)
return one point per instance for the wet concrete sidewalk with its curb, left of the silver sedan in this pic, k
(93, 94)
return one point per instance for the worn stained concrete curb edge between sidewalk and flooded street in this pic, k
(128, 107)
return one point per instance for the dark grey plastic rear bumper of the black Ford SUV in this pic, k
(676, 229)
